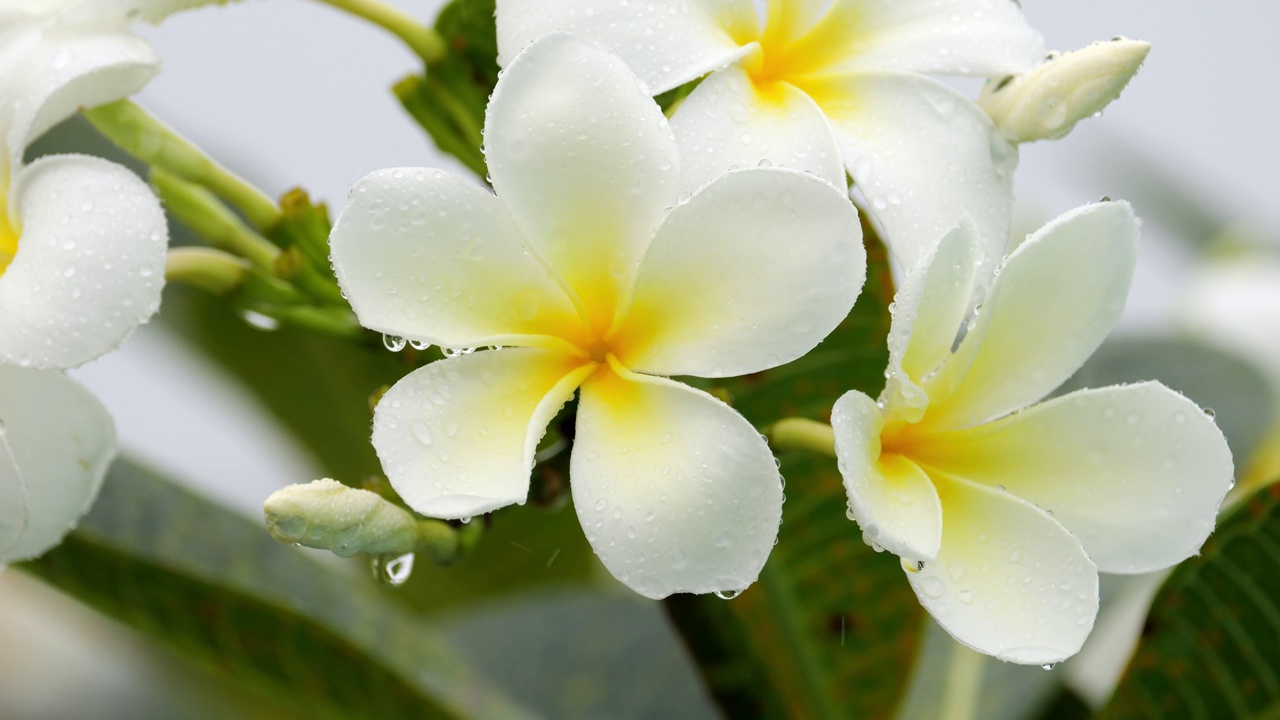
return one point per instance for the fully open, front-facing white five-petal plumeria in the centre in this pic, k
(595, 275)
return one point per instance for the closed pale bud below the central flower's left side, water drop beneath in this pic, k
(330, 516)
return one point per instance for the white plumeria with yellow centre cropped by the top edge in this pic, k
(826, 86)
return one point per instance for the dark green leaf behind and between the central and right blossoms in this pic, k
(831, 627)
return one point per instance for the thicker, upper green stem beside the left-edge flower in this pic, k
(157, 144)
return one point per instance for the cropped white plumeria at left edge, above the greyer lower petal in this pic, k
(83, 241)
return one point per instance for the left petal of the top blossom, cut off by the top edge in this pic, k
(668, 43)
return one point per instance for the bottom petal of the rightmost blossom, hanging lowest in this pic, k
(1009, 581)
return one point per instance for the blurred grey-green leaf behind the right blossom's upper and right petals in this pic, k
(1238, 394)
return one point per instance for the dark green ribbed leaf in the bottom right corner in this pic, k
(1212, 645)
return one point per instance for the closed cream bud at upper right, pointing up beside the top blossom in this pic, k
(1048, 102)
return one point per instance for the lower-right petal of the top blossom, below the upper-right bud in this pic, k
(925, 157)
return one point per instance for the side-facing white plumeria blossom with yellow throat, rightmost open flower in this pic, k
(1004, 513)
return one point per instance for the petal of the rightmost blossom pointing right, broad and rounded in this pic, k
(1137, 473)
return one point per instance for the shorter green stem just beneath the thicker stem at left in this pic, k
(198, 209)
